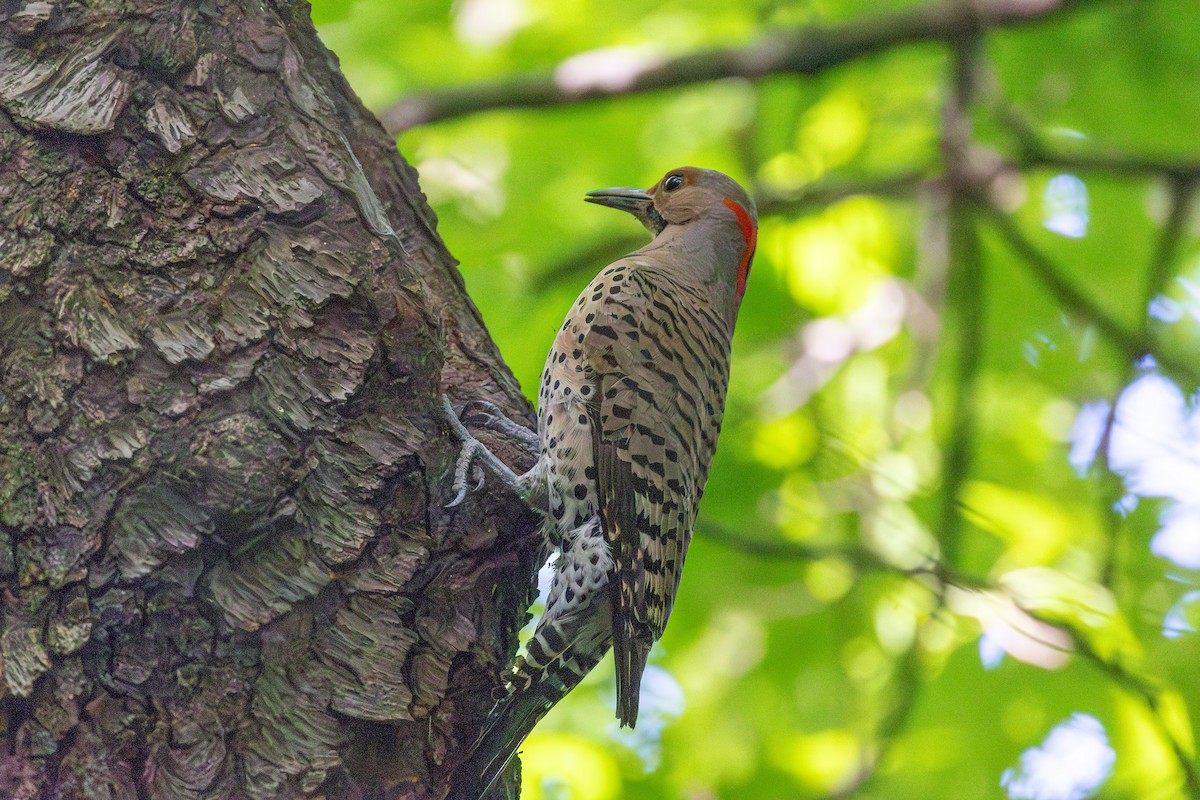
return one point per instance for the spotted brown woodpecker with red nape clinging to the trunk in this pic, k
(629, 412)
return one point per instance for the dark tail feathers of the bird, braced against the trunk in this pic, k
(507, 726)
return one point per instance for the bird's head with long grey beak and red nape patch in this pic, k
(710, 201)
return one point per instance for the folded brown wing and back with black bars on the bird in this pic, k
(656, 413)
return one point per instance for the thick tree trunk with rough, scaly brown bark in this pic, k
(226, 322)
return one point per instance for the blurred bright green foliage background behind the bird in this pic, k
(951, 544)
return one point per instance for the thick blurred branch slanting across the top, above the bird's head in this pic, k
(801, 52)
